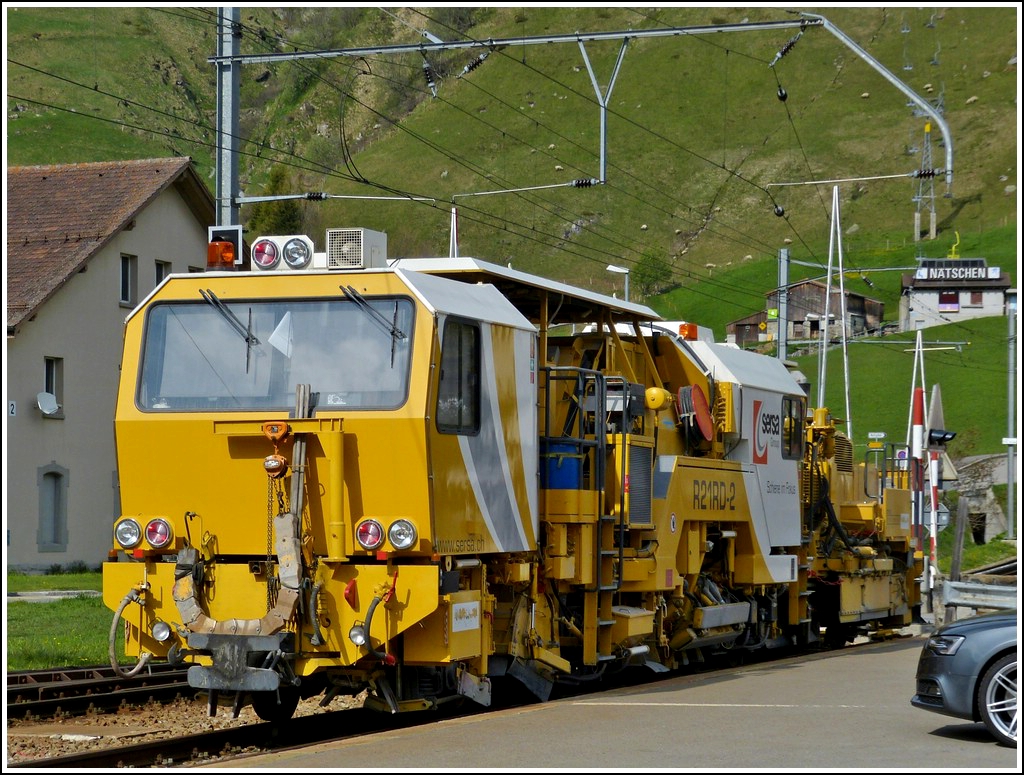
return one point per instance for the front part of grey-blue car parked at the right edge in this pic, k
(968, 670)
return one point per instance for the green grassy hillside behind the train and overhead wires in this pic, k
(701, 150)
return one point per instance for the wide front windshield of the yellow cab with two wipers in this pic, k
(236, 356)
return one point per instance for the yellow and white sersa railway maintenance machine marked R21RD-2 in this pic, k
(414, 478)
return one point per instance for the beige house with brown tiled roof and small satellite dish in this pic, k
(86, 243)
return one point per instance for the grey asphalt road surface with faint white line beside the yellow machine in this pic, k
(839, 711)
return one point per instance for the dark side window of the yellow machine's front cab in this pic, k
(459, 387)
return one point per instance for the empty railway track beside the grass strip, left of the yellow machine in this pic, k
(74, 692)
